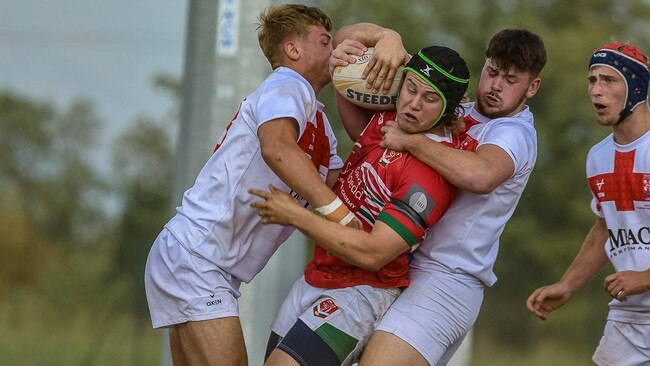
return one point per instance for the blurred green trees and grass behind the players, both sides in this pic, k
(71, 270)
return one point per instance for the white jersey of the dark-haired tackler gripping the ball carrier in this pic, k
(466, 238)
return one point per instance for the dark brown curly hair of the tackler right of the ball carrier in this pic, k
(518, 48)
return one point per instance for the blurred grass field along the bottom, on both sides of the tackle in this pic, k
(35, 333)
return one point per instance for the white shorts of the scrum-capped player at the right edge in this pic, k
(623, 344)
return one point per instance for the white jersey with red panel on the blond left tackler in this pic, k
(215, 220)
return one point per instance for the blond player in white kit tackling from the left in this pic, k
(279, 136)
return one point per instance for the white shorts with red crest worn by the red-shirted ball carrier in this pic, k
(351, 312)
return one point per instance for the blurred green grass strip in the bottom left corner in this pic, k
(80, 339)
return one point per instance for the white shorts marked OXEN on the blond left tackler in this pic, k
(182, 287)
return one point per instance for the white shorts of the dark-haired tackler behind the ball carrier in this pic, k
(435, 312)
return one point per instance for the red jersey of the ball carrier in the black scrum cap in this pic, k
(388, 186)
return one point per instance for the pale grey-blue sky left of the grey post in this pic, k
(108, 51)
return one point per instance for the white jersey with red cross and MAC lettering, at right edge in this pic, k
(619, 179)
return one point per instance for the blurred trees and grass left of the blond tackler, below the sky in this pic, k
(71, 270)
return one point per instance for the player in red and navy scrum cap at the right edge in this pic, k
(618, 172)
